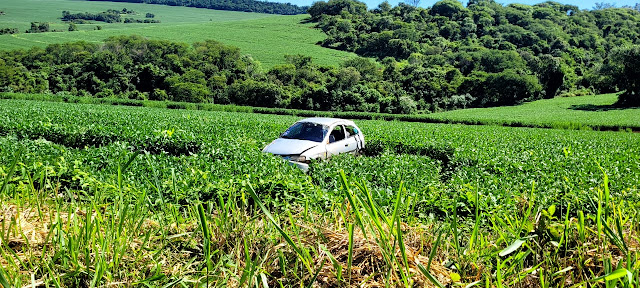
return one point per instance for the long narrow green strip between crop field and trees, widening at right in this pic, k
(555, 113)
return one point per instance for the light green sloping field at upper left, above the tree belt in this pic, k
(266, 37)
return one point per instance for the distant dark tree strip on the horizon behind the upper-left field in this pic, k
(231, 5)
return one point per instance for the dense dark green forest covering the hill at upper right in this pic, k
(544, 50)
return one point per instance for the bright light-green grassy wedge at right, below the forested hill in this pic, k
(573, 112)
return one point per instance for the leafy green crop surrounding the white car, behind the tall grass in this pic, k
(440, 164)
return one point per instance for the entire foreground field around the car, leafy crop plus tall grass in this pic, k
(518, 207)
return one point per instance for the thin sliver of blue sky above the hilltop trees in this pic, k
(582, 4)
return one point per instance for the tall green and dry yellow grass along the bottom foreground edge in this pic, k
(50, 236)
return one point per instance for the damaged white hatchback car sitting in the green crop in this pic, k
(317, 138)
